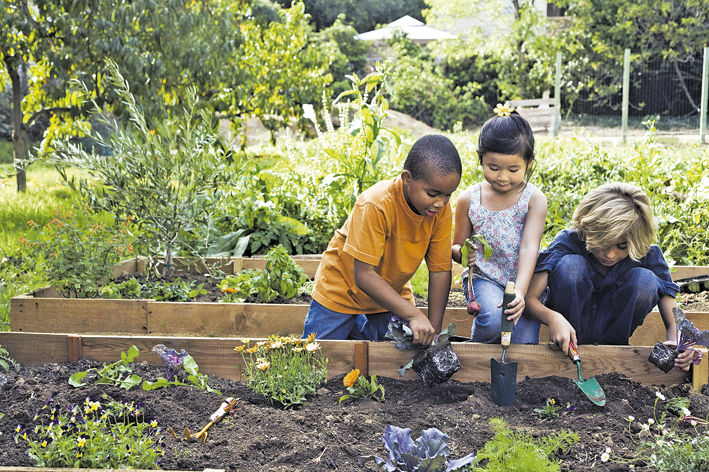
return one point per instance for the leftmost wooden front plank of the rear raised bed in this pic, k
(71, 315)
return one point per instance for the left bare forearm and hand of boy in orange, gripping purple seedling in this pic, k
(381, 292)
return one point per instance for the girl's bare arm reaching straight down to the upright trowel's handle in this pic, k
(528, 250)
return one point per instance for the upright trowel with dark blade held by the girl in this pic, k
(503, 377)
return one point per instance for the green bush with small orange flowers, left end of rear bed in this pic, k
(79, 260)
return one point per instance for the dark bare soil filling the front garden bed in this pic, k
(325, 435)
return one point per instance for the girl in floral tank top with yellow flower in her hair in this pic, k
(510, 213)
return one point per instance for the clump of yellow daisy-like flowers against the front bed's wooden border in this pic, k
(284, 369)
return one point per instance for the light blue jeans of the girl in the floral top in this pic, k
(487, 325)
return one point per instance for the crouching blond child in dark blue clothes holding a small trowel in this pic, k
(599, 279)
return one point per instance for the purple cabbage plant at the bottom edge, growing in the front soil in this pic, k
(429, 453)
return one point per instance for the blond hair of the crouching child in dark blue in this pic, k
(616, 213)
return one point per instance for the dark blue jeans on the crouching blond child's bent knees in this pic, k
(602, 313)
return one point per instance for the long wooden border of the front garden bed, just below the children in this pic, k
(216, 356)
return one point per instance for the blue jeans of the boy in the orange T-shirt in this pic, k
(329, 324)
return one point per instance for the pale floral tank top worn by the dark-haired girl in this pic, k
(503, 230)
